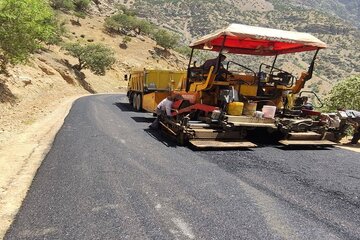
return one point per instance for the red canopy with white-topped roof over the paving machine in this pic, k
(243, 39)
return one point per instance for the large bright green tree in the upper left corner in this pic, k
(24, 26)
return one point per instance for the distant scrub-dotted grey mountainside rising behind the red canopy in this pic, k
(335, 22)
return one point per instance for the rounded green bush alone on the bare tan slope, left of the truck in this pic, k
(95, 57)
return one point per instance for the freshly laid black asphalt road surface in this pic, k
(108, 177)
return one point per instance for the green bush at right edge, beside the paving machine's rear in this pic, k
(344, 94)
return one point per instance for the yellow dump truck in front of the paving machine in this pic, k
(146, 88)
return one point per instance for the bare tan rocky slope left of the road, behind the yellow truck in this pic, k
(31, 90)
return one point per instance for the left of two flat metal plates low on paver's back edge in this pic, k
(221, 144)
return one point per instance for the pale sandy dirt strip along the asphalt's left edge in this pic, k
(21, 156)
